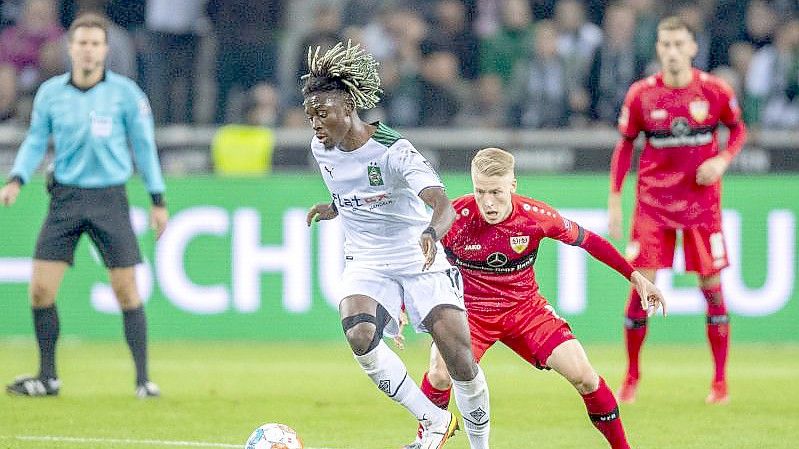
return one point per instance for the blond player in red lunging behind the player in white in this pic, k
(494, 243)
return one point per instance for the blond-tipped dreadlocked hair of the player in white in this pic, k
(350, 69)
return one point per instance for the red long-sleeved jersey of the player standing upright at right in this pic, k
(680, 125)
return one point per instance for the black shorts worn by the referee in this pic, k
(102, 213)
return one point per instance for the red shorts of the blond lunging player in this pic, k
(531, 331)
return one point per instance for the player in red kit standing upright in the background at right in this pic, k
(679, 110)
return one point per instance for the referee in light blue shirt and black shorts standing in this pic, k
(92, 114)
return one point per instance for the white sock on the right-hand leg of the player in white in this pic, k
(472, 399)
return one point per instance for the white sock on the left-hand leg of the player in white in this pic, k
(388, 372)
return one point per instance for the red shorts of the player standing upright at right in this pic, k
(652, 246)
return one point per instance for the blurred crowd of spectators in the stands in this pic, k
(470, 63)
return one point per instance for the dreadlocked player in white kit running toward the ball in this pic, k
(380, 187)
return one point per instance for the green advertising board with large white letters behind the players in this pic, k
(238, 262)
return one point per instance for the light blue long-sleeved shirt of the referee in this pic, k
(91, 131)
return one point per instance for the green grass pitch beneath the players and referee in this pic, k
(215, 394)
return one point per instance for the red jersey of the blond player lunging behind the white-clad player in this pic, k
(496, 261)
